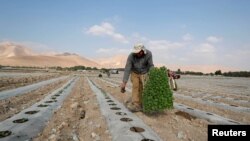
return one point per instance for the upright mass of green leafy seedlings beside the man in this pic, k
(157, 95)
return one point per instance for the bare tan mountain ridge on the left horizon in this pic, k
(18, 55)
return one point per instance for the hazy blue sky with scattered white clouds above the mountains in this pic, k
(212, 33)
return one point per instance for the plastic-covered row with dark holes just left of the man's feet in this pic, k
(123, 125)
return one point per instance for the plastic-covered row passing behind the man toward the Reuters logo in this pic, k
(212, 117)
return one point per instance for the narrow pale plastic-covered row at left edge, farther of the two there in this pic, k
(22, 90)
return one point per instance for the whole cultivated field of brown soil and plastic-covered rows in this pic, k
(81, 106)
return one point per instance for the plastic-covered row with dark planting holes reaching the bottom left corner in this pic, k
(29, 123)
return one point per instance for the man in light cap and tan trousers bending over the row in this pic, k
(138, 64)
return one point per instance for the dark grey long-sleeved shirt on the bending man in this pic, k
(139, 65)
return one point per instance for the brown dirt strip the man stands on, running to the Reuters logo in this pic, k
(172, 125)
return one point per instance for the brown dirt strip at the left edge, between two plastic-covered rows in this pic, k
(13, 105)
